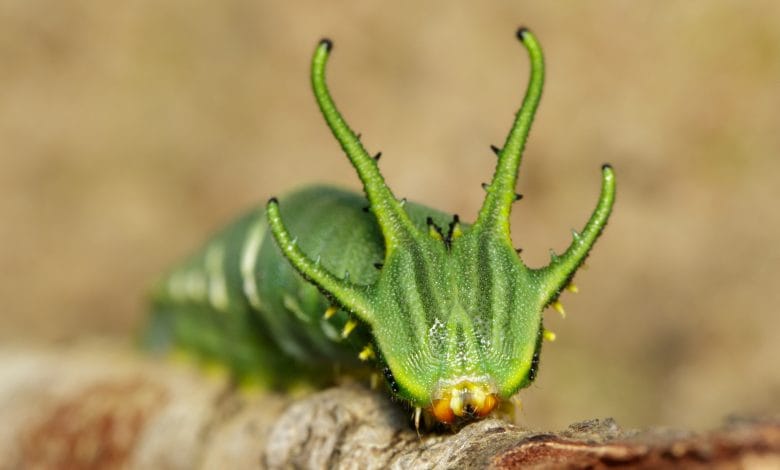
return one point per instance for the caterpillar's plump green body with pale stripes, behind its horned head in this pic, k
(271, 330)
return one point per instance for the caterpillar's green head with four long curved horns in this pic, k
(455, 314)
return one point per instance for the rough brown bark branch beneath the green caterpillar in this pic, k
(102, 407)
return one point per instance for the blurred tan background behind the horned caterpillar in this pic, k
(129, 131)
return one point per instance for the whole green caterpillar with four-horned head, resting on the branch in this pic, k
(446, 310)
